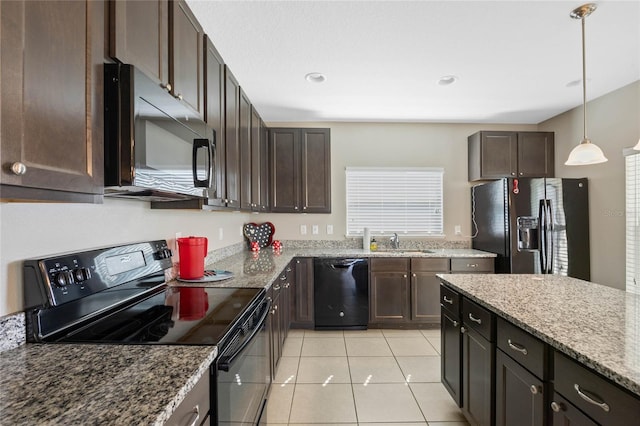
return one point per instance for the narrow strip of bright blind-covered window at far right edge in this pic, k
(632, 195)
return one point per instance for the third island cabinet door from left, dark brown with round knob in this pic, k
(519, 394)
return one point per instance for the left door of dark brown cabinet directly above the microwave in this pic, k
(139, 35)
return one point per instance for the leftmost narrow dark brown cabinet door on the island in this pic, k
(451, 361)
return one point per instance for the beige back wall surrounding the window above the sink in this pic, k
(392, 144)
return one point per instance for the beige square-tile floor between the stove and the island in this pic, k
(371, 377)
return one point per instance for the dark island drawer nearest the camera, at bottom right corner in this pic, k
(600, 399)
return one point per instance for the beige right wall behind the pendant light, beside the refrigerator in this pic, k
(613, 123)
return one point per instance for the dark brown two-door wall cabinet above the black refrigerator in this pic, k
(496, 154)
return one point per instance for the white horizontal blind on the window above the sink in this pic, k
(388, 199)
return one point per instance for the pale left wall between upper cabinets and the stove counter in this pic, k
(31, 230)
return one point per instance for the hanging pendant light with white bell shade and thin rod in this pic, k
(586, 152)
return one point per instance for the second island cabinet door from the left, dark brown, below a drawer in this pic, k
(477, 377)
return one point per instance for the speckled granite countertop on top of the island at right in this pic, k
(597, 325)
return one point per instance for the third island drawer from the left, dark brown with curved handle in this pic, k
(529, 351)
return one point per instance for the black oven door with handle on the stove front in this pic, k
(243, 375)
